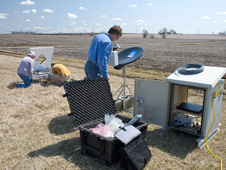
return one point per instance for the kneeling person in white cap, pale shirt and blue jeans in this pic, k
(25, 70)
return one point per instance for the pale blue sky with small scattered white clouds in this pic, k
(134, 16)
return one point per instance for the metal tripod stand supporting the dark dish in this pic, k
(123, 89)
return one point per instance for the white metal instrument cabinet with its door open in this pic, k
(182, 102)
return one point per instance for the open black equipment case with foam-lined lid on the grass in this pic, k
(89, 101)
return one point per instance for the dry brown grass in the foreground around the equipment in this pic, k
(36, 132)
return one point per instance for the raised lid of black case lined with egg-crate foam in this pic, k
(89, 99)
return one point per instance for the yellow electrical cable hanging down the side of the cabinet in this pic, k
(216, 94)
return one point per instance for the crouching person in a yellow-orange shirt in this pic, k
(60, 74)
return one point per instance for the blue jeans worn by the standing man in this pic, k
(92, 71)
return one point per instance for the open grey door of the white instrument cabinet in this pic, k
(151, 101)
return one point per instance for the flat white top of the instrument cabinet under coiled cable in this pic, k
(207, 79)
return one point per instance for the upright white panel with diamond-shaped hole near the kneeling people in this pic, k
(46, 52)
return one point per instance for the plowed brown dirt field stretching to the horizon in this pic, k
(159, 54)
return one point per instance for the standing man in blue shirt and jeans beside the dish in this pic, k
(99, 52)
